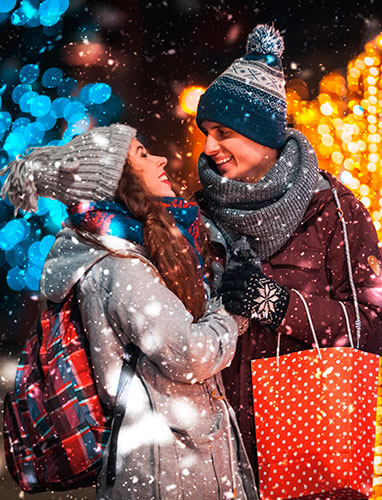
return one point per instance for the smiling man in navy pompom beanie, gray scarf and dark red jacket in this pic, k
(261, 180)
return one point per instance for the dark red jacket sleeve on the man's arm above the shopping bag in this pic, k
(327, 315)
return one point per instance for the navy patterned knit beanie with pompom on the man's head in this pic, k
(249, 97)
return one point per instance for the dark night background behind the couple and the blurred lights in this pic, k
(158, 48)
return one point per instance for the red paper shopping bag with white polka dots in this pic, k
(315, 423)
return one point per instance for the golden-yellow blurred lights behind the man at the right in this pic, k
(344, 126)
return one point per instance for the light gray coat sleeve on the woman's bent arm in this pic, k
(137, 306)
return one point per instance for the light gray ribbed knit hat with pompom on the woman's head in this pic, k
(86, 168)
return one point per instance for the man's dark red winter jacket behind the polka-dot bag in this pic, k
(313, 262)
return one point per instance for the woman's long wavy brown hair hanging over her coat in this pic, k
(169, 251)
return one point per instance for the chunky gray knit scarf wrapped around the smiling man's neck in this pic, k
(269, 211)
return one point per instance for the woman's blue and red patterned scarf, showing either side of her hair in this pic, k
(111, 218)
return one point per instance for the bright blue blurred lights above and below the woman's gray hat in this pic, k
(47, 103)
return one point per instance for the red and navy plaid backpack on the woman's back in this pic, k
(55, 429)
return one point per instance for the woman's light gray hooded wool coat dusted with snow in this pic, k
(179, 438)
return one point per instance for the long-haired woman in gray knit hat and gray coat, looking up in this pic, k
(135, 251)
